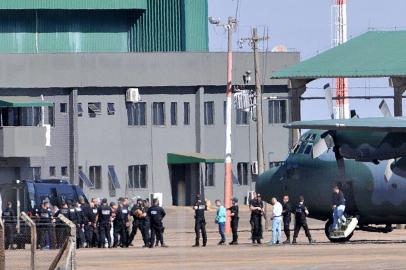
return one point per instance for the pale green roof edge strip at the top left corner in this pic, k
(72, 4)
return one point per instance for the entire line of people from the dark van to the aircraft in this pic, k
(95, 222)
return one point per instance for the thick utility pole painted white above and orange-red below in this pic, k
(228, 180)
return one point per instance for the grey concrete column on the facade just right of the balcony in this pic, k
(73, 137)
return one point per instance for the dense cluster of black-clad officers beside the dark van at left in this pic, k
(96, 222)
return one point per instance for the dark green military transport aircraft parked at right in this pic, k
(366, 156)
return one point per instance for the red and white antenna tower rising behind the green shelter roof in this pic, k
(342, 110)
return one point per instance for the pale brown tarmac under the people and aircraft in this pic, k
(366, 250)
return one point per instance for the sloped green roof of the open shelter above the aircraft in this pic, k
(373, 54)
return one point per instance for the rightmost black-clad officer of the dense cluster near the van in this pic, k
(156, 215)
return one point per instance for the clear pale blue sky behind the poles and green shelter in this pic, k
(305, 26)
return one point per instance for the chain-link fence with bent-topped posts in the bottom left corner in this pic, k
(36, 244)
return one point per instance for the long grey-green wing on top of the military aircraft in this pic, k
(383, 124)
